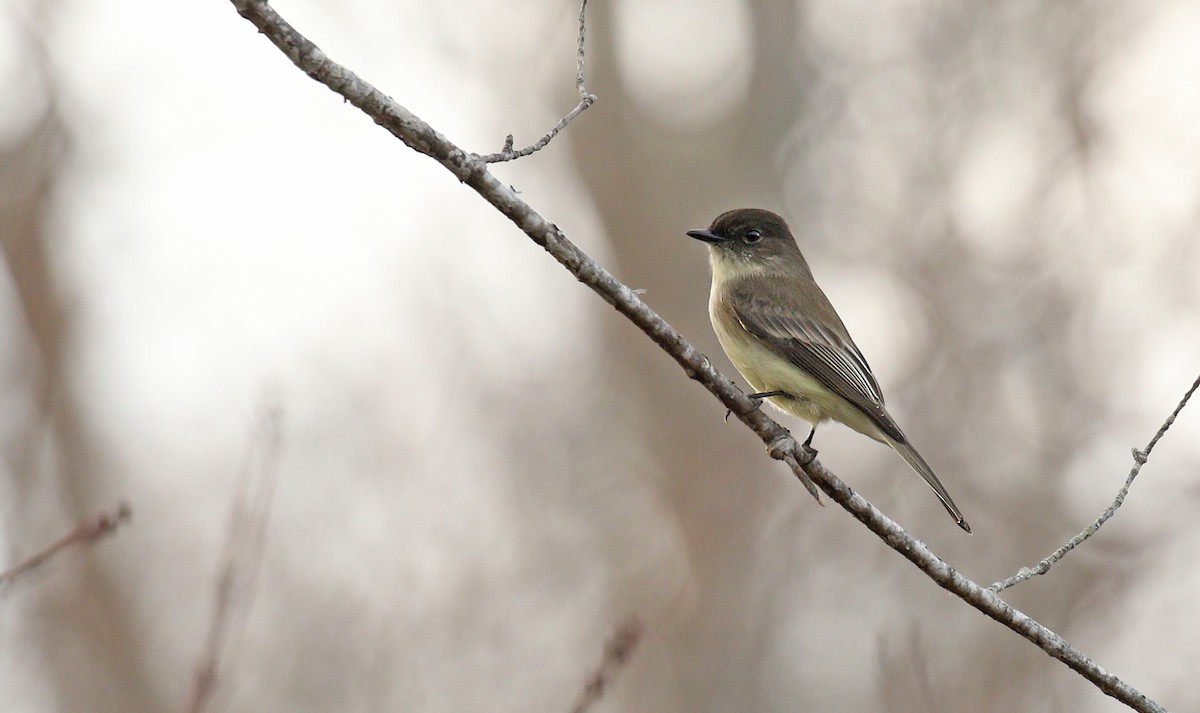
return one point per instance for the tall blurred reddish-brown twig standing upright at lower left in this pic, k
(243, 552)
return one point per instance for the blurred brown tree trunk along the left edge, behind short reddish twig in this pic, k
(77, 620)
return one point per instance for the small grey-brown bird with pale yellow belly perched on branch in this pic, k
(784, 337)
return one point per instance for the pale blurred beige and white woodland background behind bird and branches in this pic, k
(484, 468)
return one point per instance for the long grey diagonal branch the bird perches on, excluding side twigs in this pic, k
(473, 171)
